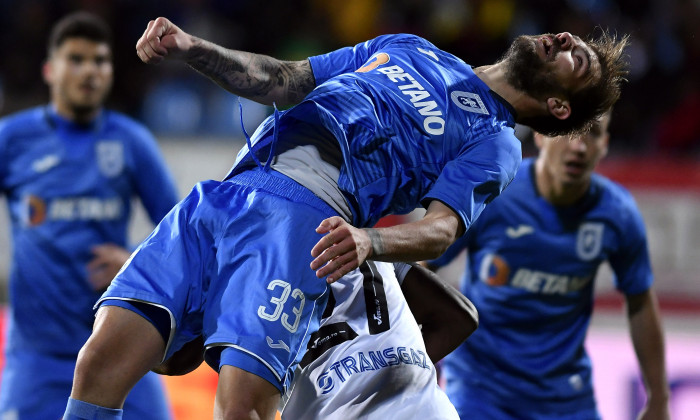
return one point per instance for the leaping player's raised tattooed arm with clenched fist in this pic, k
(257, 77)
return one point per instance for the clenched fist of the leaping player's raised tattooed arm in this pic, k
(162, 39)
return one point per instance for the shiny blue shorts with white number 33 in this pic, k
(231, 262)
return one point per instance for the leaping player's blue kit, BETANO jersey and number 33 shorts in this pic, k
(392, 124)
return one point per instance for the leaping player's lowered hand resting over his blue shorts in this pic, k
(341, 250)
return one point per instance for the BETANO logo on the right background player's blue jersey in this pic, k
(495, 271)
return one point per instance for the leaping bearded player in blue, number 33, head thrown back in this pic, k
(379, 128)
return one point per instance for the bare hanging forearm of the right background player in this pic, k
(648, 341)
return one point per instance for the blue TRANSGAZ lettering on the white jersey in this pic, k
(369, 361)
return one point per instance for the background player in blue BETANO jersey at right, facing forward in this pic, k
(533, 255)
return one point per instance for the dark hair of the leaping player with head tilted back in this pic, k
(592, 101)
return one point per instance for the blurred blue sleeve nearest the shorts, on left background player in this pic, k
(154, 182)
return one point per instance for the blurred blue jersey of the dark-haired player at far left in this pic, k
(69, 187)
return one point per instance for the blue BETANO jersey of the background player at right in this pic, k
(531, 271)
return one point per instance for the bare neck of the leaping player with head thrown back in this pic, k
(525, 106)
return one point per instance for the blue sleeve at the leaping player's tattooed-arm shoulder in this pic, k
(349, 59)
